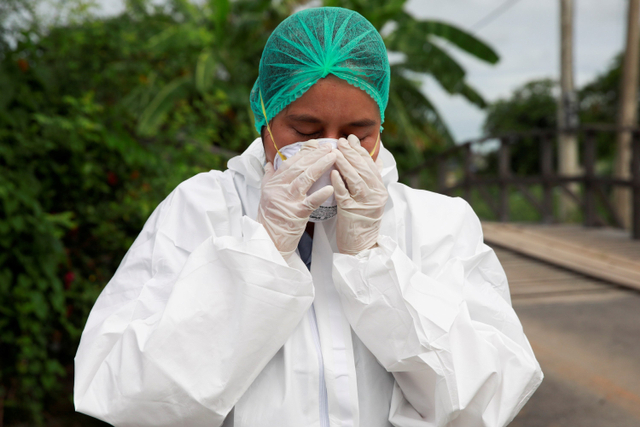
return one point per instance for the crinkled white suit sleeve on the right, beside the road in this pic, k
(444, 328)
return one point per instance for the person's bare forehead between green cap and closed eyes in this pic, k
(333, 99)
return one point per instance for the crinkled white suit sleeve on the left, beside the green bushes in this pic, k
(200, 304)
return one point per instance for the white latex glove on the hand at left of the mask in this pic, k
(284, 205)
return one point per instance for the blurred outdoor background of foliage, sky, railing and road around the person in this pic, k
(527, 108)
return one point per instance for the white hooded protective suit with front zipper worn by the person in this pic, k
(204, 320)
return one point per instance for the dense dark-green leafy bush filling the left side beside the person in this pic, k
(76, 185)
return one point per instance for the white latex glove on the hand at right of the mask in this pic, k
(361, 202)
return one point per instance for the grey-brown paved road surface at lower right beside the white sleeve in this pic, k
(586, 335)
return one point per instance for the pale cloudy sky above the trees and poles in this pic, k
(526, 36)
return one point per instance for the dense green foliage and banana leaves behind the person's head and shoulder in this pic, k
(100, 118)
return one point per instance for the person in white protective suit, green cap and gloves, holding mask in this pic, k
(252, 299)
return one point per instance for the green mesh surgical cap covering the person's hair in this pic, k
(310, 45)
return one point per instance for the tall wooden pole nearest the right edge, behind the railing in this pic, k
(627, 112)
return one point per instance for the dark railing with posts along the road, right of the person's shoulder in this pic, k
(592, 199)
